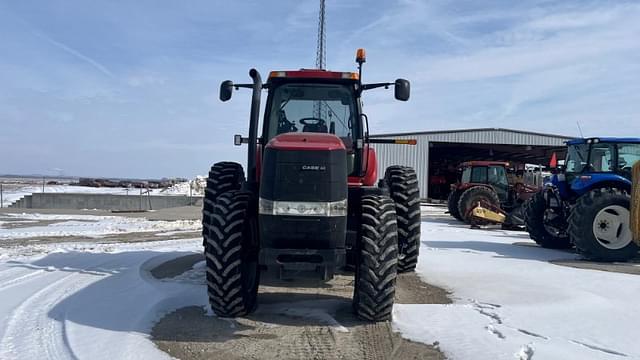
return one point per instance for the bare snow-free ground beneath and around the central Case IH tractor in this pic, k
(295, 319)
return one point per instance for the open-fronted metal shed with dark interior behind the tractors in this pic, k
(436, 149)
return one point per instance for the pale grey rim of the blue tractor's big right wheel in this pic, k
(611, 227)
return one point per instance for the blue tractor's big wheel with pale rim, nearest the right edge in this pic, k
(599, 226)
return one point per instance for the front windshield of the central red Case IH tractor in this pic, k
(319, 108)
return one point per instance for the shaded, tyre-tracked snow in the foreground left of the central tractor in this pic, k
(90, 301)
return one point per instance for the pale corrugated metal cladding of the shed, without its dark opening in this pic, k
(418, 156)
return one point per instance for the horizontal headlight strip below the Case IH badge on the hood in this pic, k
(303, 208)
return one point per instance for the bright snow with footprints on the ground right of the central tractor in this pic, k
(511, 303)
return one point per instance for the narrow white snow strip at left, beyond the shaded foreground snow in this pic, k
(89, 226)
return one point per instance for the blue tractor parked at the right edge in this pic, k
(586, 202)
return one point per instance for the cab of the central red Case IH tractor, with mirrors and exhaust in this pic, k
(317, 101)
